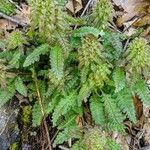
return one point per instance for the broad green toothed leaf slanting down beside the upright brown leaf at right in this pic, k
(125, 103)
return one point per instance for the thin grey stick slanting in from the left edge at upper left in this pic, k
(13, 19)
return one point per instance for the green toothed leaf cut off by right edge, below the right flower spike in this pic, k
(141, 89)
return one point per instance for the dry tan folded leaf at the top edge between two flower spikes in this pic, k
(74, 6)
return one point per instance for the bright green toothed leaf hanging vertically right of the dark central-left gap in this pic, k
(57, 61)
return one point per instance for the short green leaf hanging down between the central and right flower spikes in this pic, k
(119, 79)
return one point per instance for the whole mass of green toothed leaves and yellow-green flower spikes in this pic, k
(63, 70)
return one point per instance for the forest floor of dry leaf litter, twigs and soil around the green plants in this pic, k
(129, 17)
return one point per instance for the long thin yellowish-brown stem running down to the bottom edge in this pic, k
(42, 108)
